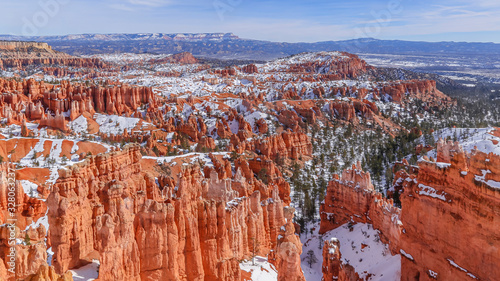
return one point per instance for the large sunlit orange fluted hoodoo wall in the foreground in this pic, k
(183, 228)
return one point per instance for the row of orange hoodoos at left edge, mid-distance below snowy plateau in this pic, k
(45, 103)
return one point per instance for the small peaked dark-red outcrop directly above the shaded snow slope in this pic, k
(352, 198)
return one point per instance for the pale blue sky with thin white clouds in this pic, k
(278, 20)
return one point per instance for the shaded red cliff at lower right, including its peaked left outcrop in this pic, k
(448, 207)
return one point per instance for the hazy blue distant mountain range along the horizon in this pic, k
(230, 46)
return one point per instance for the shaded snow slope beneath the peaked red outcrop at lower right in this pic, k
(375, 258)
